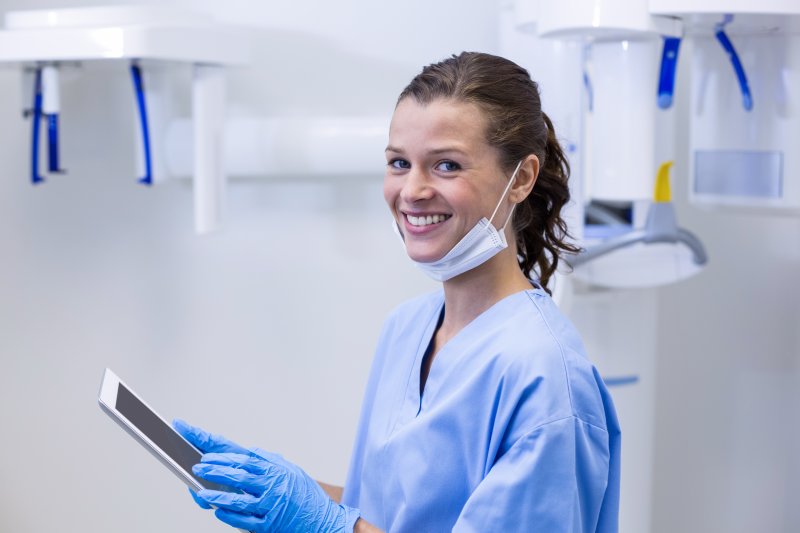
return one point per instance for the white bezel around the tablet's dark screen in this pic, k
(108, 401)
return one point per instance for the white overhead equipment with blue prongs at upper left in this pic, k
(41, 41)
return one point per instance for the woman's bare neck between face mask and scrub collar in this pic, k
(473, 292)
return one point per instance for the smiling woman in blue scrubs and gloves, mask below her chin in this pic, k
(481, 411)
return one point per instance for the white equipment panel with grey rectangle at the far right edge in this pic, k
(763, 139)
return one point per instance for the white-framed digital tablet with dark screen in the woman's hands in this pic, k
(133, 415)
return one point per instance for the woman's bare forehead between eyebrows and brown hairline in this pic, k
(441, 121)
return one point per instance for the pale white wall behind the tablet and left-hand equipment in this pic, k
(263, 331)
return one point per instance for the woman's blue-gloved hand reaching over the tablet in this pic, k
(279, 496)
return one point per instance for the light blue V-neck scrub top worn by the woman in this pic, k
(515, 430)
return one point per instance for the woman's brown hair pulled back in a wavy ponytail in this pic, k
(517, 127)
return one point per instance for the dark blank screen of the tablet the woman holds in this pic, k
(161, 434)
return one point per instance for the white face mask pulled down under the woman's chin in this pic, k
(482, 243)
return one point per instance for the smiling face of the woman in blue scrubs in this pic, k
(442, 176)
